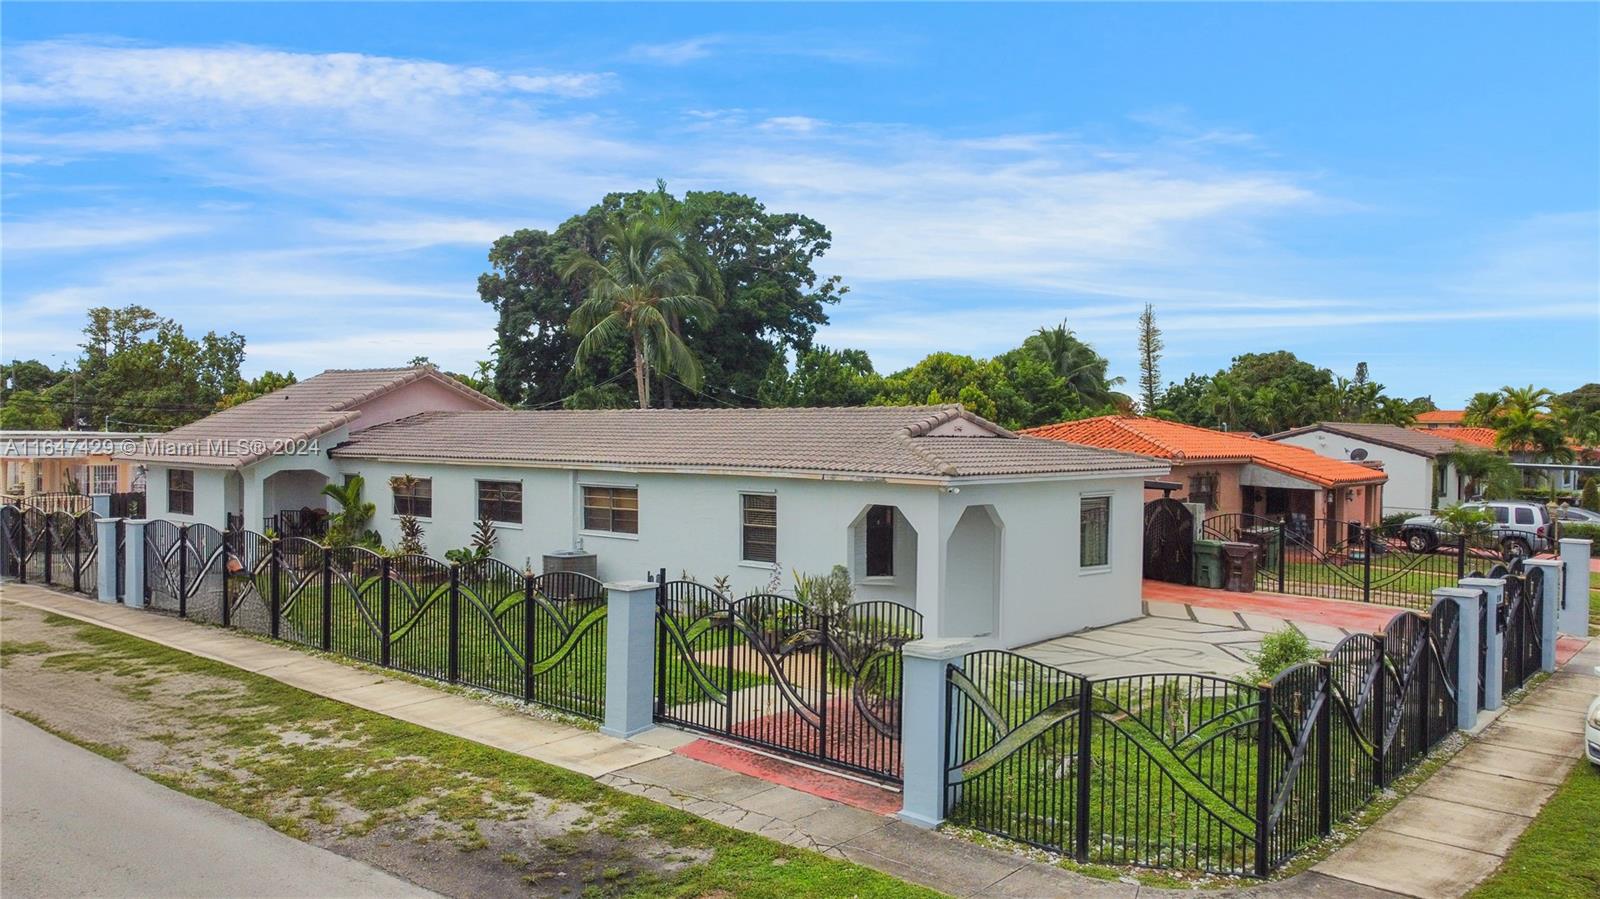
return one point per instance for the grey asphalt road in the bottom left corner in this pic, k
(78, 825)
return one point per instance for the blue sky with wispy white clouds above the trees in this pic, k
(1415, 186)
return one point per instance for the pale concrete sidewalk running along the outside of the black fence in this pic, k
(650, 767)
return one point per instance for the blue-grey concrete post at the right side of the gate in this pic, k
(926, 698)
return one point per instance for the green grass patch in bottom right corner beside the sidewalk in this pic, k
(1561, 855)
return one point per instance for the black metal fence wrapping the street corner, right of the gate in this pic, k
(1196, 772)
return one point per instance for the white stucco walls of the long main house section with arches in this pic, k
(692, 524)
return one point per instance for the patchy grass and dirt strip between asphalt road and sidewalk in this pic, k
(450, 815)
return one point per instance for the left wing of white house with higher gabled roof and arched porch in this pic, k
(263, 465)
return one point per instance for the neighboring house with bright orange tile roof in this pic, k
(1238, 474)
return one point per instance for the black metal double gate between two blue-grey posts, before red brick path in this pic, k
(777, 674)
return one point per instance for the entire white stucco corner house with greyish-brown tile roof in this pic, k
(993, 537)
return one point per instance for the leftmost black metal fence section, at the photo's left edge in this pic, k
(50, 548)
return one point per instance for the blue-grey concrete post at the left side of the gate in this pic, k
(630, 658)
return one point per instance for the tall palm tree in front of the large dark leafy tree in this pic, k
(639, 290)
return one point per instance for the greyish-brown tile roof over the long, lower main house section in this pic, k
(911, 442)
